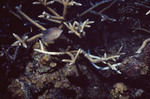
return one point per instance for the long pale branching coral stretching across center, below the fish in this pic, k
(93, 59)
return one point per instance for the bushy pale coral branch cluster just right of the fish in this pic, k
(78, 28)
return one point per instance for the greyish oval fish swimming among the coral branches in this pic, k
(51, 34)
